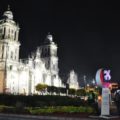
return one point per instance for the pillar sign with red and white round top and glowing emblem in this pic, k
(103, 78)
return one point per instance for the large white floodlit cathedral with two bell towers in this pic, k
(20, 76)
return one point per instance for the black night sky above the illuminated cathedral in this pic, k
(87, 32)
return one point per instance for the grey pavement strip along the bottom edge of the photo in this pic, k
(31, 117)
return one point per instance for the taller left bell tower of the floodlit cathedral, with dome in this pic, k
(9, 45)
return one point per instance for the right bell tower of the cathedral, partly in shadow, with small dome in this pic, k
(49, 55)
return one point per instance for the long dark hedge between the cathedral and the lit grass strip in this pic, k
(40, 101)
